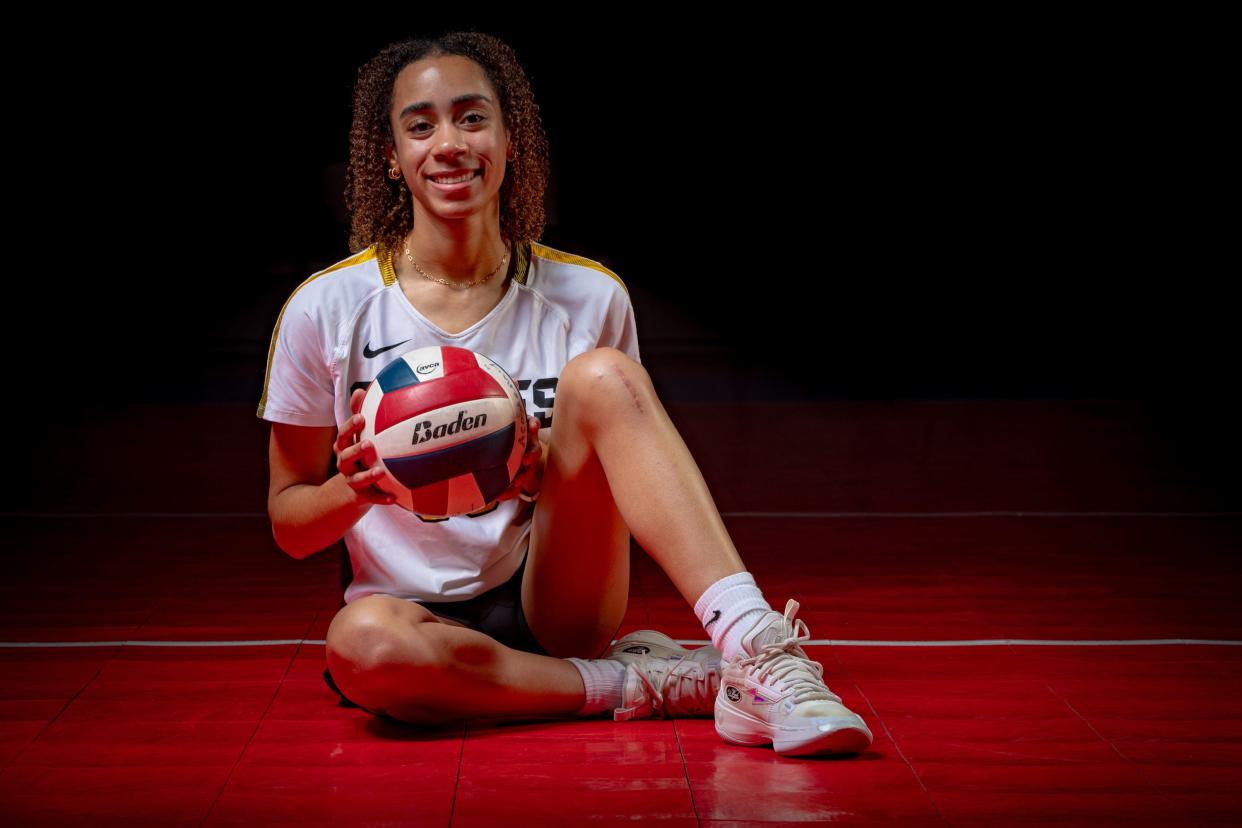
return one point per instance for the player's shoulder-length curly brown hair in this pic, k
(381, 208)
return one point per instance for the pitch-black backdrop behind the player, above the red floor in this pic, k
(882, 208)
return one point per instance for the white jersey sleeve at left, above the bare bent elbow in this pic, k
(299, 388)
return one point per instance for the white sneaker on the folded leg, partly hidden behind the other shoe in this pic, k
(664, 680)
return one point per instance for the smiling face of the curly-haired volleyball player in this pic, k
(450, 140)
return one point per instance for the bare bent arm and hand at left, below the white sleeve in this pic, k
(309, 510)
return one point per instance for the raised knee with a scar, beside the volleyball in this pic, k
(607, 382)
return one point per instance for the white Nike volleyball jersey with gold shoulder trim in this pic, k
(346, 323)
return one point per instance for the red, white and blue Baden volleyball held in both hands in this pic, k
(449, 428)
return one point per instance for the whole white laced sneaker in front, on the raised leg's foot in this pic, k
(778, 696)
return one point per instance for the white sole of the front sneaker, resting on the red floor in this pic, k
(814, 736)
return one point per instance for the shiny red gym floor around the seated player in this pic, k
(1034, 605)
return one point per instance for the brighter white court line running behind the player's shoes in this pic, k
(820, 642)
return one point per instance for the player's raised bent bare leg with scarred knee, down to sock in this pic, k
(615, 466)
